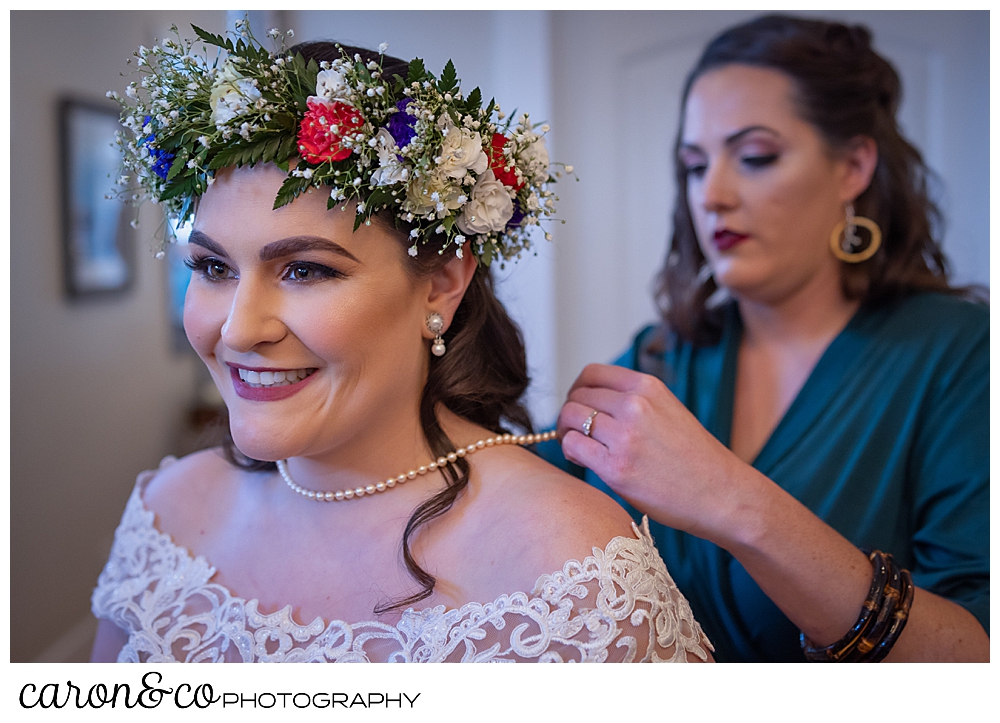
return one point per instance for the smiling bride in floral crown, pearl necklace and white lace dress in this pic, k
(370, 504)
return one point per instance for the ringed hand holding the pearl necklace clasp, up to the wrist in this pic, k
(652, 451)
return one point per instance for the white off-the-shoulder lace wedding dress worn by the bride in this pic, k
(617, 605)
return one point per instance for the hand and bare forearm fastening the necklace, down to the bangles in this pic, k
(652, 451)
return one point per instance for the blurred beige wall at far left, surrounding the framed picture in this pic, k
(97, 393)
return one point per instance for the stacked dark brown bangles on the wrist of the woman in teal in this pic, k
(883, 616)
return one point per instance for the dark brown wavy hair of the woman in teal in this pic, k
(844, 89)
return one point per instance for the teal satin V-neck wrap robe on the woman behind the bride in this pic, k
(887, 442)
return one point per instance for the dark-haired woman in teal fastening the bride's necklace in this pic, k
(808, 427)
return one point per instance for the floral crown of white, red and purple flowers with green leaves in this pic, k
(443, 164)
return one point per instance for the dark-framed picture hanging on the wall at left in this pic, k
(97, 243)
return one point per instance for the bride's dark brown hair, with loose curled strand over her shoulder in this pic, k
(481, 378)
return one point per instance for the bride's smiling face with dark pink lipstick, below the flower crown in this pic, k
(296, 293)
